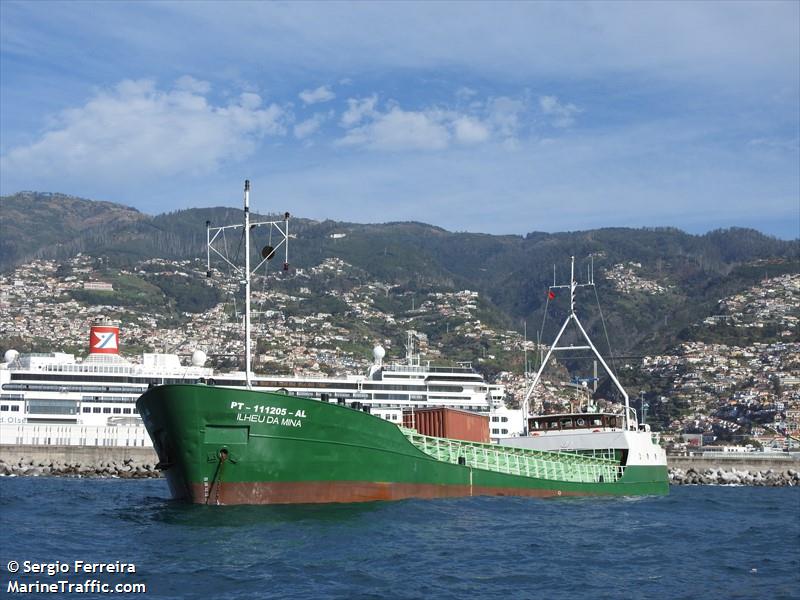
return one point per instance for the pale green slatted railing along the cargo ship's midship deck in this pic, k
(556, 466)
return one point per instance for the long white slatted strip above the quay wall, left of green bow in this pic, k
(33, 434)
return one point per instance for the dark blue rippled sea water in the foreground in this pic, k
(697, 543)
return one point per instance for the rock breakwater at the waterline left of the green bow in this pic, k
(128, 468)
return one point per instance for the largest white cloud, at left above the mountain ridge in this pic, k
(136, 129)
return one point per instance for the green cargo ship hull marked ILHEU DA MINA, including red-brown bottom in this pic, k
(224, 446)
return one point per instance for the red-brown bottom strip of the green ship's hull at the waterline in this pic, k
(314, 492)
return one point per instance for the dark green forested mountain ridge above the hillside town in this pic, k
(512, 273)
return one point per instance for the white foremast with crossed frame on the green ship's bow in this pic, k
(268, 252)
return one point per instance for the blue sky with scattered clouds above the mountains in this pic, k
(492, 117)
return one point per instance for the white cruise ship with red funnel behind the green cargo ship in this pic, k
(56, 399)
